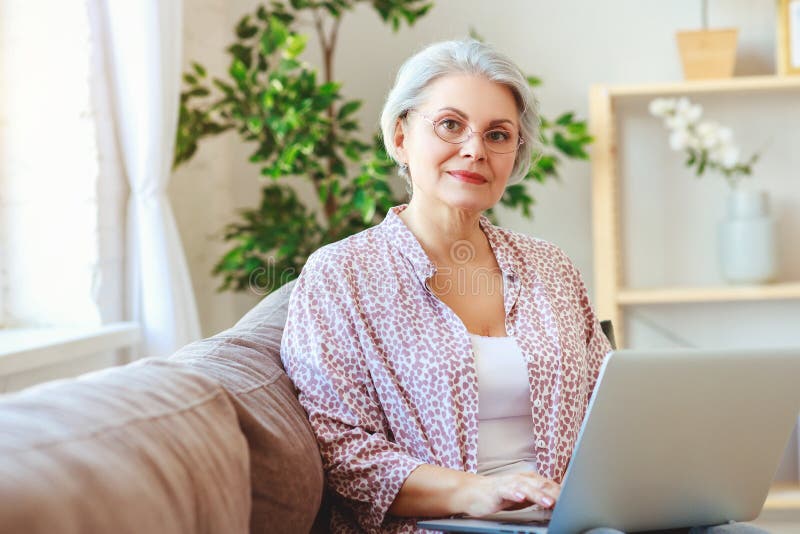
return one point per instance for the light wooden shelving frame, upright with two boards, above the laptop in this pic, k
(610, 295)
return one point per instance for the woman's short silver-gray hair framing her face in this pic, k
(466, 56)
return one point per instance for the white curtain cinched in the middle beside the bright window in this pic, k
(143, 51)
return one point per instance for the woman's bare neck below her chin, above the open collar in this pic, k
(440, 228)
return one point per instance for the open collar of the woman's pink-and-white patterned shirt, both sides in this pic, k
(399, 236)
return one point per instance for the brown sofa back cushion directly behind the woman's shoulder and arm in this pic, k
(285, 465)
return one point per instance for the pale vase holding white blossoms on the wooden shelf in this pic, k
(746, 235)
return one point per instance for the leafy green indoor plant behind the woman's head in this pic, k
(301, 126)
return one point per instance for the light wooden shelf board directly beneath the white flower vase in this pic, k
(665, 295)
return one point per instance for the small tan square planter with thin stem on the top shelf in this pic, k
(707, 53)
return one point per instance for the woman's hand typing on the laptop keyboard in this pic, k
(484, 495)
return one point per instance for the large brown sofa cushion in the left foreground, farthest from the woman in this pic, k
(149, 447)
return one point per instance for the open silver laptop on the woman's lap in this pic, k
(672, 439)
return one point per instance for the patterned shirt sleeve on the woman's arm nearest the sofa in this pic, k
(322, 355)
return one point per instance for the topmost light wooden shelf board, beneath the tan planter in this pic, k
(735, 84)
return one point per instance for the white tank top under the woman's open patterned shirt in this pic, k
(505, 425)
